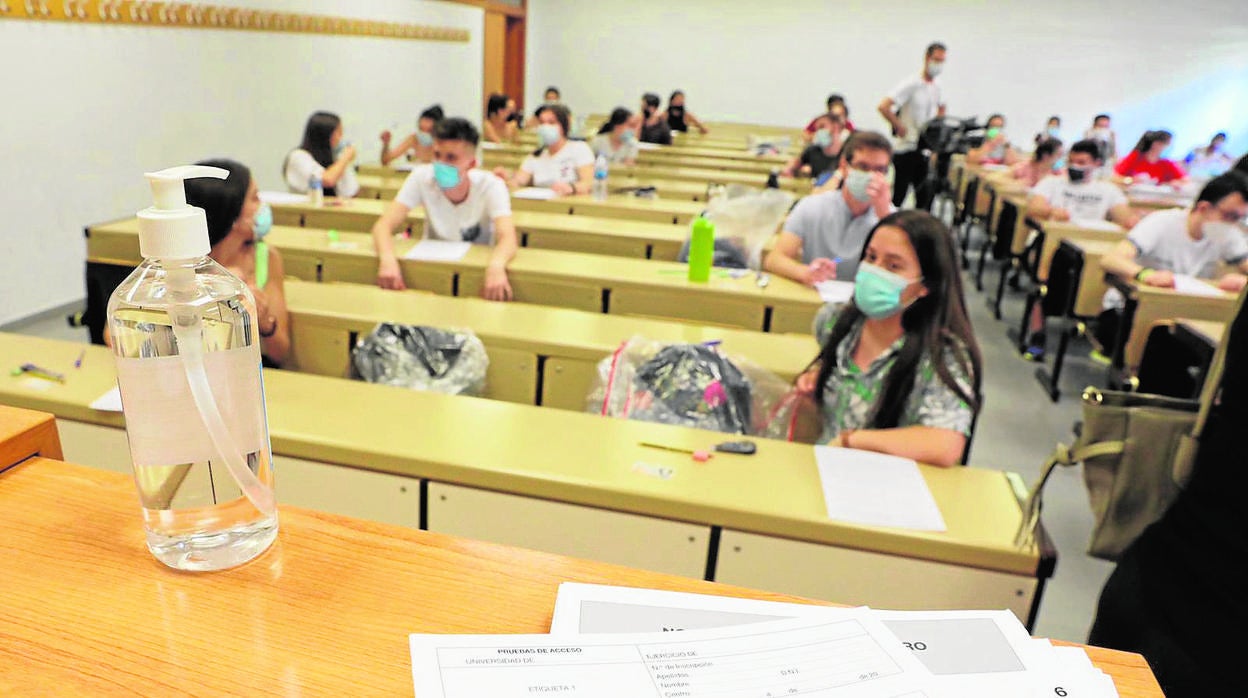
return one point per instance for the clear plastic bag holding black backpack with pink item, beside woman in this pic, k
(695, 386)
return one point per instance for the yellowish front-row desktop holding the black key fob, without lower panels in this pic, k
(567, 458)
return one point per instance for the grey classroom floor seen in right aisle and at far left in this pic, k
(1018, 430)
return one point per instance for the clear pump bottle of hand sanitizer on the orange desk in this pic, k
(187, 342)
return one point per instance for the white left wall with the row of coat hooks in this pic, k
(89, 109)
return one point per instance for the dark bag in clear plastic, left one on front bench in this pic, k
(425, 359)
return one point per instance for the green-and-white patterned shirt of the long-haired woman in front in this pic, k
(851, 394)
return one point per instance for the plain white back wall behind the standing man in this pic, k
(1177, 66)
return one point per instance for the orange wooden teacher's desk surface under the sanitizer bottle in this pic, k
(326, 611)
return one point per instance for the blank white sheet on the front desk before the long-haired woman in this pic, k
(877, 490)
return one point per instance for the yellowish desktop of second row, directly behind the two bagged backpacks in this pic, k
(542, 330)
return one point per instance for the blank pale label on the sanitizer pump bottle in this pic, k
(163, 423)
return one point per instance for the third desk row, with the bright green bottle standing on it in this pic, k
(590, 283)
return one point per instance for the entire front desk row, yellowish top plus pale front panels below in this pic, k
(586, 486)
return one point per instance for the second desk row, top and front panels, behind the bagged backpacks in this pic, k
(539, 355)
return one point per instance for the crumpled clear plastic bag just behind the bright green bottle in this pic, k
(746, 219)
